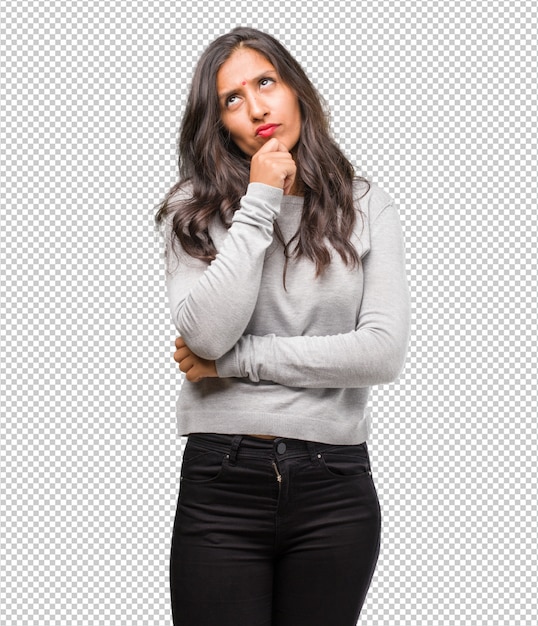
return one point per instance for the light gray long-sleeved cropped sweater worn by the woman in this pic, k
(297, 362)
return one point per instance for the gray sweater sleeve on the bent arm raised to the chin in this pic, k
(211, 304)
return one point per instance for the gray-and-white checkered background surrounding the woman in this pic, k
(437, 102)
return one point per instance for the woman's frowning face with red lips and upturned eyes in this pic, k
(255, 104)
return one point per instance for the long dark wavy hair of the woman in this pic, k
(218, 171)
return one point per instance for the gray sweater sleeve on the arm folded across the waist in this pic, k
(371, 354)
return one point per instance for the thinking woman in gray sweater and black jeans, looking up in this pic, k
(286, 281)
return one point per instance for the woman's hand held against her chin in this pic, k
(273, 165)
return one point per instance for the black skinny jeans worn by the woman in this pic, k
(273, 533)
